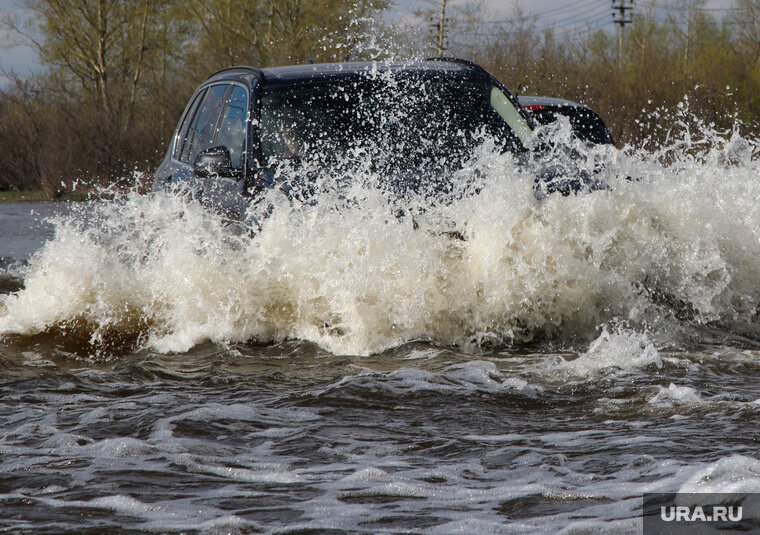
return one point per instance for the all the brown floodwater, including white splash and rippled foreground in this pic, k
(344, 371)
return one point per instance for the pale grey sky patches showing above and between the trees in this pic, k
(562, 14)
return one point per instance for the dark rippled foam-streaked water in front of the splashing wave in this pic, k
(247, 439)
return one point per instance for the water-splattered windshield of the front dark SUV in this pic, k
(396, 122)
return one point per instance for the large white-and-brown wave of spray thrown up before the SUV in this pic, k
(669, 245)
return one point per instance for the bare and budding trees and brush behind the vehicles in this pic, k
(119, 72)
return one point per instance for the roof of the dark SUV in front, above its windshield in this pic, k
(323, 72)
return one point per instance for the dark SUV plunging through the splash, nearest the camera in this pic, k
(244, 126)
